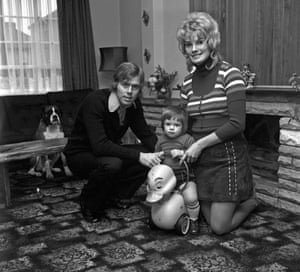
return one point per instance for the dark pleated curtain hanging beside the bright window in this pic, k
(77, 45)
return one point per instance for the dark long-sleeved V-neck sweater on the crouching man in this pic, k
(99, 131)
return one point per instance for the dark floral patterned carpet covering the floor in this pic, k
(44, 231)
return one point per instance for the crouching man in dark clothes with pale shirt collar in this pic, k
(95, 150)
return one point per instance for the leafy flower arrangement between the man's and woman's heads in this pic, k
(160, 82)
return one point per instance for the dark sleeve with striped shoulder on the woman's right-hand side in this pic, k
(236, 103)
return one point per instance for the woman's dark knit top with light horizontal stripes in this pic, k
(215, 101)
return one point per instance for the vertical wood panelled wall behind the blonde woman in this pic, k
(262, 33)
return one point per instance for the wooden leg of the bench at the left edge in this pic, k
(5, 200)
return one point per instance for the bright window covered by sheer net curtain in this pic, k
(29, 43)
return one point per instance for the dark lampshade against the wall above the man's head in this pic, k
(112, 57)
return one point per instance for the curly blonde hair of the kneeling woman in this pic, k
(200, 25)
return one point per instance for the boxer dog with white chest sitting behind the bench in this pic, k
(49, 128)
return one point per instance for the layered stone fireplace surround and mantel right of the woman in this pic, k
(282, 102)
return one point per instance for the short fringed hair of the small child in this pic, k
(175, 112)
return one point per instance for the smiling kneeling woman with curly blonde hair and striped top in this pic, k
(214, 94)
